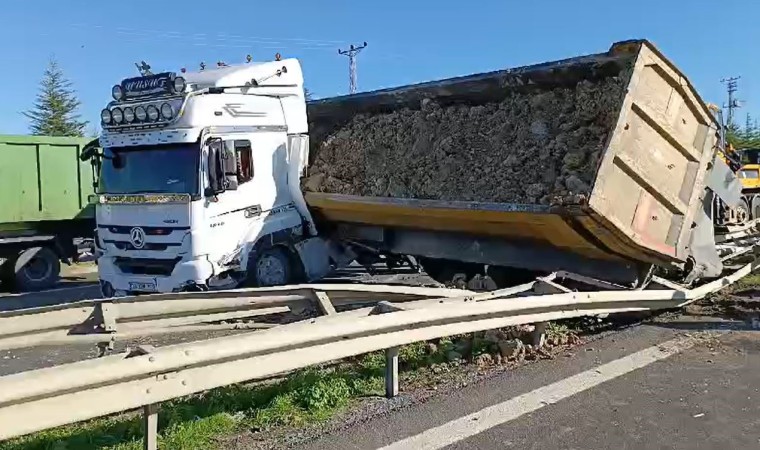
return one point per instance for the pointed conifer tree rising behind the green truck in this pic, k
(55, 110)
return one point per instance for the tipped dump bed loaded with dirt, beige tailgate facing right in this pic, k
(603, 156)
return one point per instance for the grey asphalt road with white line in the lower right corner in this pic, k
(623, 391)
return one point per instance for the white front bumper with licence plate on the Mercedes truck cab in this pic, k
(187, 275)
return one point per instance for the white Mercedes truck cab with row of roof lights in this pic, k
(198, 184)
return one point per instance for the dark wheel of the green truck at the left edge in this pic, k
(40, 272)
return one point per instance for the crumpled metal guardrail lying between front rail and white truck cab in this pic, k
(103, 321)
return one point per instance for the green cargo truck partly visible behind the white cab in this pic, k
(44, 210)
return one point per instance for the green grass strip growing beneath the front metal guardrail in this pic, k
(197, 422)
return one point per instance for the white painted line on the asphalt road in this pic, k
(487, 418)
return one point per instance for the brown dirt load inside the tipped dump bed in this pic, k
(541, 147)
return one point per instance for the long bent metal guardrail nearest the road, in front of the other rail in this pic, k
(42, 399)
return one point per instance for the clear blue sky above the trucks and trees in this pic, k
(97, 42)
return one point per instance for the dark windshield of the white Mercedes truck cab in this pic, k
(165, 169)
